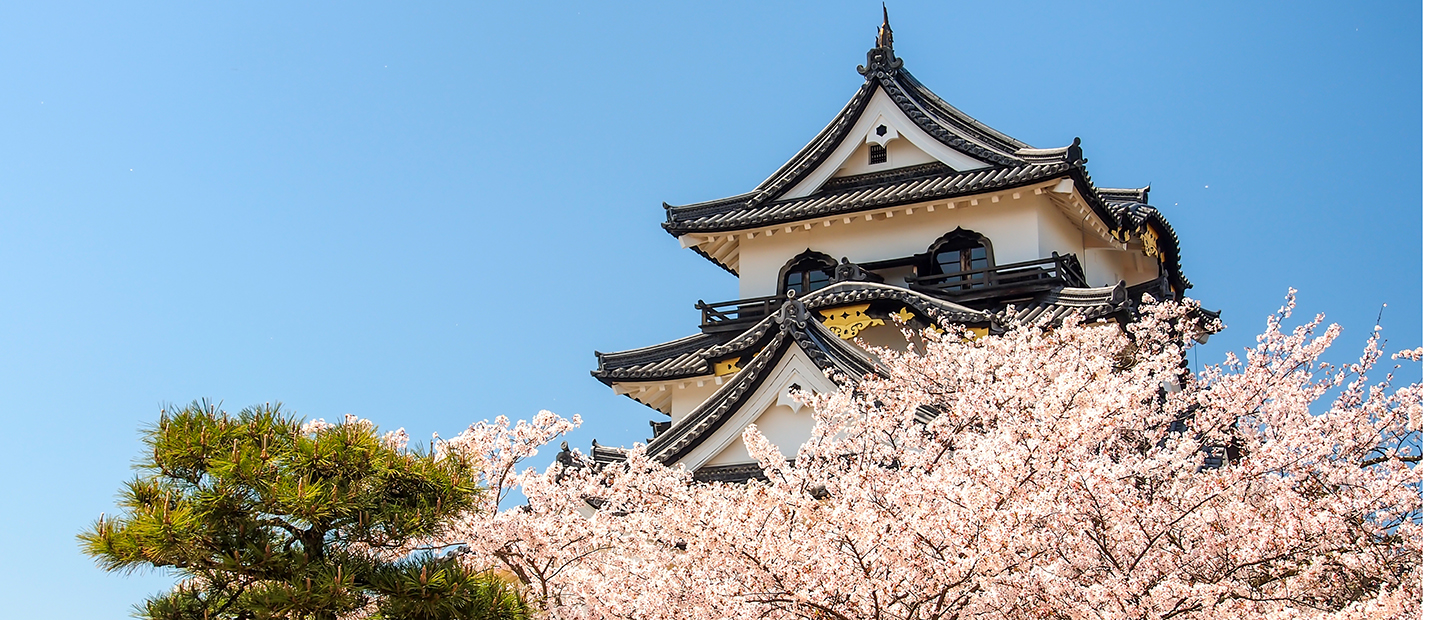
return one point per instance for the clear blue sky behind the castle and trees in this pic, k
(431, 215)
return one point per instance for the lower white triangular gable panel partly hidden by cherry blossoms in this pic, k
(783, 421)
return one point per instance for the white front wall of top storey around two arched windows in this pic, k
(1012, 227)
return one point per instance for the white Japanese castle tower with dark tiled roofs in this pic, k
(902, 208)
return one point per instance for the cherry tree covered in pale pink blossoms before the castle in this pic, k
(1048, 473)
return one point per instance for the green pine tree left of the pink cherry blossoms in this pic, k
(264, 517)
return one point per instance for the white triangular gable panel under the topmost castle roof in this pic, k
(881, 110)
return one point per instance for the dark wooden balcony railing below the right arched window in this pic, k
(1004, 280)
